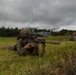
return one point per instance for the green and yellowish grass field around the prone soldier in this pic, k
(58, 59)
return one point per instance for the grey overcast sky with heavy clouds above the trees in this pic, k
(48, 14)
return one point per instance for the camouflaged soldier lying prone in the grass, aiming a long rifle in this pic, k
(28, 43)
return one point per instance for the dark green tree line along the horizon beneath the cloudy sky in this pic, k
(13, 32)
